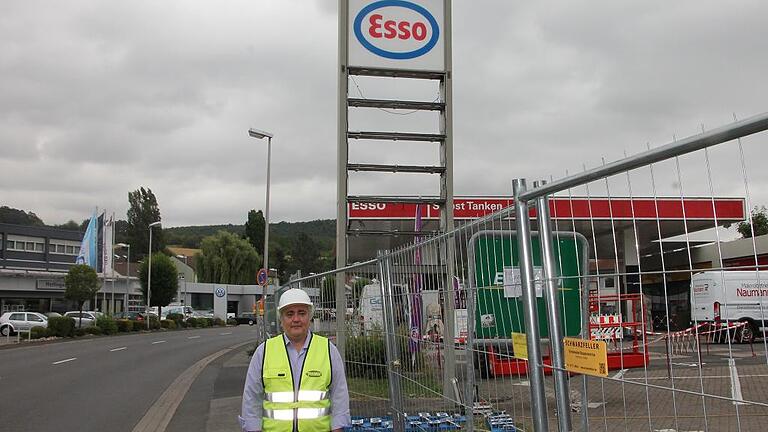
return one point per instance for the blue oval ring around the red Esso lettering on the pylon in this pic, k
(380, 28)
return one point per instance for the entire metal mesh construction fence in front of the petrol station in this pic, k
(617, 299)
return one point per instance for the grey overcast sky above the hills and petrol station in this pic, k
(98, 98)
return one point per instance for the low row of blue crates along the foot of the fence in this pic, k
(421, 422)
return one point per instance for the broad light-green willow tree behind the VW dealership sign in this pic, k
(227, 258)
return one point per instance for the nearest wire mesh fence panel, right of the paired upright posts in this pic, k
(673, 293)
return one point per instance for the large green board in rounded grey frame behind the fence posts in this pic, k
(499, 309)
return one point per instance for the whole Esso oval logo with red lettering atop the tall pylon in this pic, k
(396, 29)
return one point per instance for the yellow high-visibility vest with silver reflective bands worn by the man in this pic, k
(306, 410)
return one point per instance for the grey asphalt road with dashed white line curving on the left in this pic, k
(100, 384)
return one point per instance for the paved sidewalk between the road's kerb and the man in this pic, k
(212, 404)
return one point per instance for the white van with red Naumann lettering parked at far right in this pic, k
(730, 296)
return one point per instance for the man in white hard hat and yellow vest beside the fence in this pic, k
(296, 380)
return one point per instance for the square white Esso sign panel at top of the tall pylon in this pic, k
(396, 34)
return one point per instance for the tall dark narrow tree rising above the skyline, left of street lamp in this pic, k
(143, 211)
